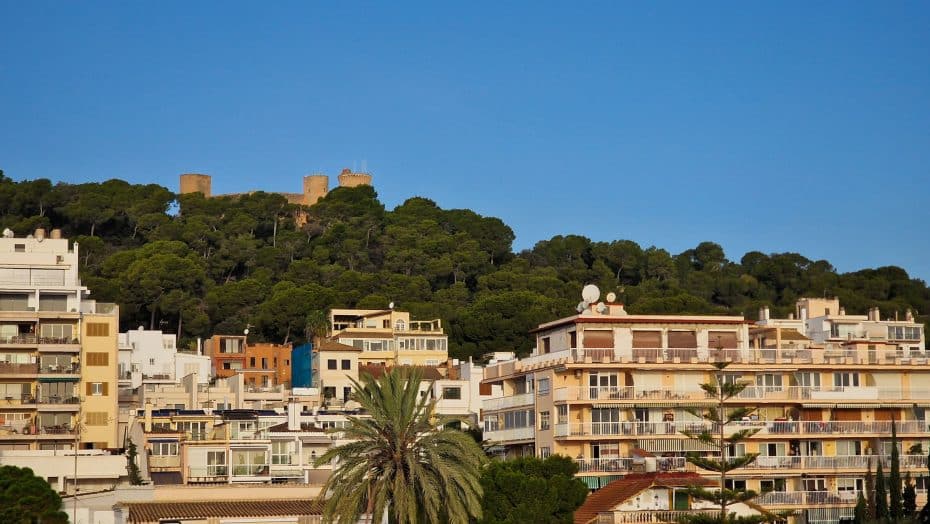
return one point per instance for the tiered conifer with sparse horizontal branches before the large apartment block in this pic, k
(719, 416)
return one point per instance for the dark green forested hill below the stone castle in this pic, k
(201, 266)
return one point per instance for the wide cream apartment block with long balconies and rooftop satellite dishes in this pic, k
(613, 390)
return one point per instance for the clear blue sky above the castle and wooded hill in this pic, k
(780, 126)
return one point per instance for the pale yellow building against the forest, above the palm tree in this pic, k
(389, 337)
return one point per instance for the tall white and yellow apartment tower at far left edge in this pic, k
(58, 351)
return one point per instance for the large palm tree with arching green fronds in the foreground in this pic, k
(402, 459)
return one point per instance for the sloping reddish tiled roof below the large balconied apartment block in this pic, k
(623, 489)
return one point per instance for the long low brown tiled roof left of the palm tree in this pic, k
(144, 512)
